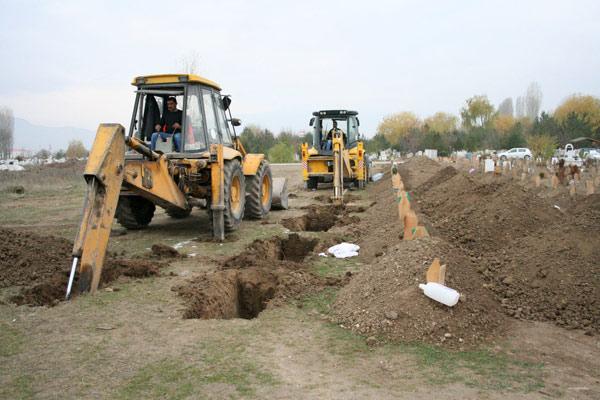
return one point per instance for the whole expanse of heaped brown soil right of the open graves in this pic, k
(508, 251)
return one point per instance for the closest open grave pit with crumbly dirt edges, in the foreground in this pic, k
(244, 293)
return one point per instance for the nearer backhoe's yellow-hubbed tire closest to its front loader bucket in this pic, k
(259, 192)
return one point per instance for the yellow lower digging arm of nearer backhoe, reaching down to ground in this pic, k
(104, 176)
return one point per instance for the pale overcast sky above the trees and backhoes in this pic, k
(70, 63)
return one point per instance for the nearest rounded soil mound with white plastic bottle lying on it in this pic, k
(384, 298)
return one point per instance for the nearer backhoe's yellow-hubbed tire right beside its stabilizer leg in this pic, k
(235, 195)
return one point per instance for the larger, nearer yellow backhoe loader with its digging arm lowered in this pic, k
(201, 163)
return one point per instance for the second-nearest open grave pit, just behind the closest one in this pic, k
(274, 251)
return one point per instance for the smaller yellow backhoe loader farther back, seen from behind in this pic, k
(337, 153)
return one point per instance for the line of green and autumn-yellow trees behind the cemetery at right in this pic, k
(481, 125)
